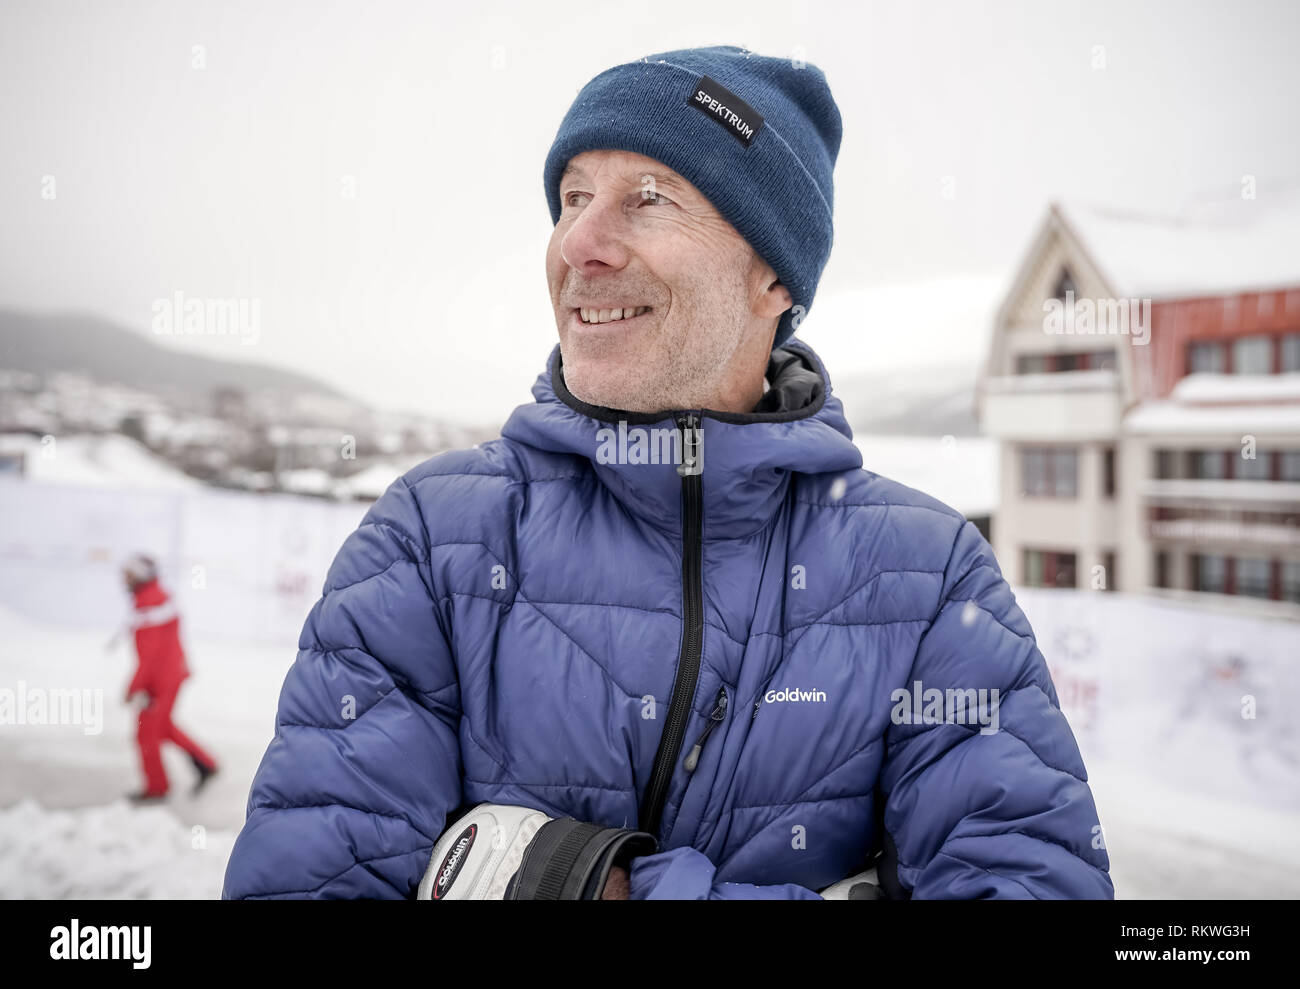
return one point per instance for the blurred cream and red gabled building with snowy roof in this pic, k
(1143, 381)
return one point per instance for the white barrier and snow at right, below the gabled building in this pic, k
(1195, 801)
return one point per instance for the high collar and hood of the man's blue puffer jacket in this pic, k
(747, 459)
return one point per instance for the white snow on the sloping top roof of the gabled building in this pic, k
(1215, 249)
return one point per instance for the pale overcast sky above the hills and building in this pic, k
(427, 290)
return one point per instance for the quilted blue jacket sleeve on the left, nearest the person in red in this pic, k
(365, 767)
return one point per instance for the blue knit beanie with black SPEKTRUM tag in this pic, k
(757, 136)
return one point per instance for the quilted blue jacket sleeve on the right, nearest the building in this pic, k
(994, 809)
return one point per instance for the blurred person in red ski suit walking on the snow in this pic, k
(159, 675)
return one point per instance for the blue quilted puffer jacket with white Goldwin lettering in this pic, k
(528, 623)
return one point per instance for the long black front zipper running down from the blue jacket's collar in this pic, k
(694, 627)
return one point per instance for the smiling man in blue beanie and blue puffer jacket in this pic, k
(670, 604)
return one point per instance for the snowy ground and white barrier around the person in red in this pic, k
(66, 827)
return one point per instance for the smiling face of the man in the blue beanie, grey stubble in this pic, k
(699, 306)
